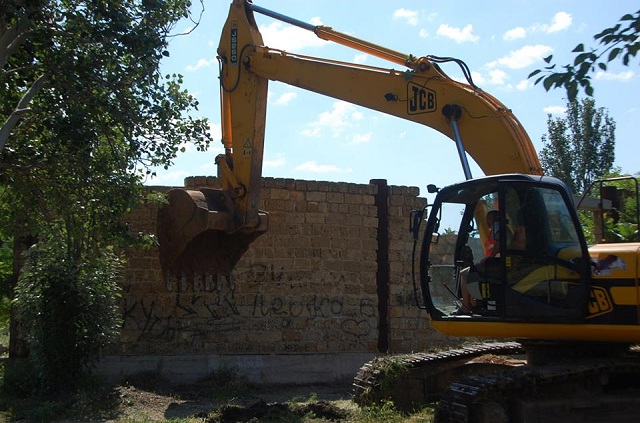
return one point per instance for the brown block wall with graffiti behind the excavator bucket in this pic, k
(311, 284)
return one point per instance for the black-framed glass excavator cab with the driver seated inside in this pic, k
(515, 254)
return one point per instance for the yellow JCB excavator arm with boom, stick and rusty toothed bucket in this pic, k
(421, 92)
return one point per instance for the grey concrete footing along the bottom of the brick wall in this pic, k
(259, 369)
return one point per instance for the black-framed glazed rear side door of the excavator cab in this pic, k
(545, 274)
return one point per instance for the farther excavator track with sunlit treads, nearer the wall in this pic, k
(412, 380)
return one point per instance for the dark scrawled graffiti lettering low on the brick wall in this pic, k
(200, 310)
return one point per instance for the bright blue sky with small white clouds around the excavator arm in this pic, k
(312, 137)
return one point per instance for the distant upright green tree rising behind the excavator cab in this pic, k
(580, 147)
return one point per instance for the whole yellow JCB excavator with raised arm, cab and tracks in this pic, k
(574, 309)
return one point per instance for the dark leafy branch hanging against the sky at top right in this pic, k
(617, 43)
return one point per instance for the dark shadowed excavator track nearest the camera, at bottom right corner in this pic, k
(585, 391)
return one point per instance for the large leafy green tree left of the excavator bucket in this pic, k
(87, 113)
